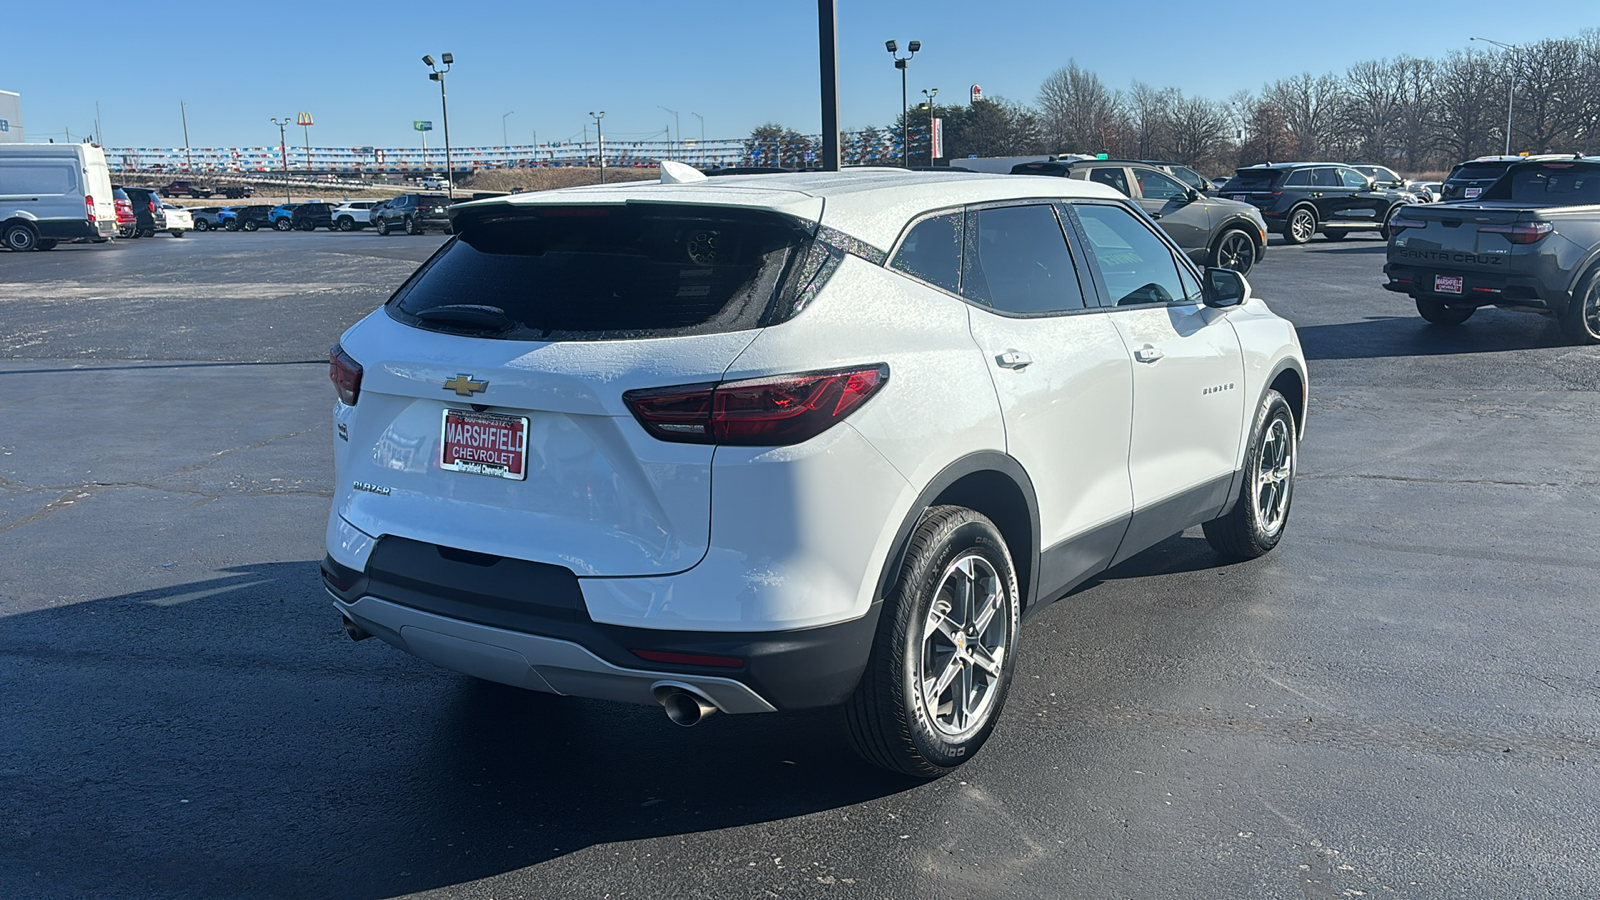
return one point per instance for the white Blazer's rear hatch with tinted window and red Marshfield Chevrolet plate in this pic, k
(490, 414)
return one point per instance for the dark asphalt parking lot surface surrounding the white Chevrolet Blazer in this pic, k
(1402, 701)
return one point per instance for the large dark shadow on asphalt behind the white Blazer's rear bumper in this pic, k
(223, 739)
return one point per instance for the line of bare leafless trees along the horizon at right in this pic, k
(1415, 115)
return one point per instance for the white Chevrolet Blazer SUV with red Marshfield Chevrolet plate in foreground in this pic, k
(785, 441)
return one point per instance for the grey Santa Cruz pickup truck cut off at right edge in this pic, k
(1530, 243)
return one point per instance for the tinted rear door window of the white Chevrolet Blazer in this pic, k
(1022, 262)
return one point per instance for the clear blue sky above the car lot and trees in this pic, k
(358, 68)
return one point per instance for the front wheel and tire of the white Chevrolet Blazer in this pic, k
(1262, 510)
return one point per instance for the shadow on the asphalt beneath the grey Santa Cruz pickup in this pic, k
(1377, 337)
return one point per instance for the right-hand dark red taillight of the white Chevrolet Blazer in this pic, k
(758, 412)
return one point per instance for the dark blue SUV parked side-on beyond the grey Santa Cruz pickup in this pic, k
(1300, 199)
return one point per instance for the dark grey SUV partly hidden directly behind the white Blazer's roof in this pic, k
(1210, 231)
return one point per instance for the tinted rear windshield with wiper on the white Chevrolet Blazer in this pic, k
(602, 273)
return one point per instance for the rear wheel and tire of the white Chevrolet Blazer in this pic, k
(890, 718)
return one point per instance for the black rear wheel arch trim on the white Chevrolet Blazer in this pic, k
(986, 483)
